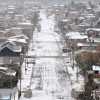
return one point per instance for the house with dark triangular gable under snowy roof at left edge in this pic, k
(9, 53)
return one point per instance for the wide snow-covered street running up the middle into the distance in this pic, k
(46, 43)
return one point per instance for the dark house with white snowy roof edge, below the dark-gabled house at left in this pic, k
(9, 77)
